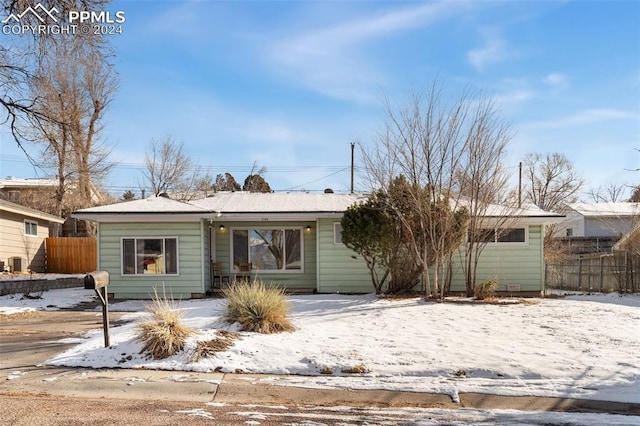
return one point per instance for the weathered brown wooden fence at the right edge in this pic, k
(617, 272)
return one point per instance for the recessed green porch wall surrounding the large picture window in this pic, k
(293, 279)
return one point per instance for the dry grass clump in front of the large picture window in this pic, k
(257, 307)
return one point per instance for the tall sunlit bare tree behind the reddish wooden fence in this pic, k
(73, 88)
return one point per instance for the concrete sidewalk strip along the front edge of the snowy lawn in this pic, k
(251, 389)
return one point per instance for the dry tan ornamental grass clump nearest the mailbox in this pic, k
(164, 335)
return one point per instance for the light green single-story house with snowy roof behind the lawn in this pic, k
(293, 239)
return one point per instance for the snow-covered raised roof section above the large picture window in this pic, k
(278, 202)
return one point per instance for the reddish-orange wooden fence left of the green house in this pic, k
(71, 255)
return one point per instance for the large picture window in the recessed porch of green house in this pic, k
(268, 249)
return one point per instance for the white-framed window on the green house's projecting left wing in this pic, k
(150, 256)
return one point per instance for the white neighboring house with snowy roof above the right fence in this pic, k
(599, 220)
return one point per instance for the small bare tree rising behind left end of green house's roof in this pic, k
(169, 169)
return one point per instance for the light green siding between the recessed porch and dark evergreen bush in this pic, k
(339, 272)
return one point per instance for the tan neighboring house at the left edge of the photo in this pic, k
(23, 232)
